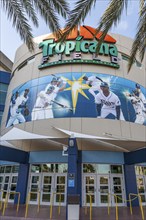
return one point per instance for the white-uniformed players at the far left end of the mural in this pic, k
(16, 106)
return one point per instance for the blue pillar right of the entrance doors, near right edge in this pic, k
(130, 182)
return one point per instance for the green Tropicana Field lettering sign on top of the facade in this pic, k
(75, 49)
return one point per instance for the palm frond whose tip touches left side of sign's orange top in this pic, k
(77, 15)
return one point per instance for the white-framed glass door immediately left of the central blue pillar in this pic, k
(60, 189)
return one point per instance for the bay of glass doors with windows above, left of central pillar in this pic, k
(48, 184)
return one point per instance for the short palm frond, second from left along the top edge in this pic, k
(29, 9)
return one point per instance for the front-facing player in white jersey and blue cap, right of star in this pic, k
(107, 103)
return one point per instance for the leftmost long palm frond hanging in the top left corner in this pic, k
(16, 14)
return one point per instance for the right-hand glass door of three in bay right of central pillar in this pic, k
(117, 189)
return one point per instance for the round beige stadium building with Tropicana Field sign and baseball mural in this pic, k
(75, 122)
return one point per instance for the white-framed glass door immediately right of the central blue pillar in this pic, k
(89, 189)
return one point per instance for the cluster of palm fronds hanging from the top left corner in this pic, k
(19, 11)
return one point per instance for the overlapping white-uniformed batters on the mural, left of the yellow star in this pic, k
(43, 107)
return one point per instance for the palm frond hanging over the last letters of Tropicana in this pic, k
(111, 16)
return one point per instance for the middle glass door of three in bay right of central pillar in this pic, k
(103, 188)
